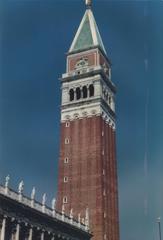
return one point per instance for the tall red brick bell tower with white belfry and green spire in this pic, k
(87, 162)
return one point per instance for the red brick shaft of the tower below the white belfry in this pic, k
(87, 181)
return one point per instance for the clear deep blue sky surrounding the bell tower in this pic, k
(34, 38)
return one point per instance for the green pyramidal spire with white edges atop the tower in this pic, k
(88, 35)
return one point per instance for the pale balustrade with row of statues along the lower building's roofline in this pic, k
(40, 207)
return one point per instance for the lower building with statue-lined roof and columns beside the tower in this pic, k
(23, 218)
